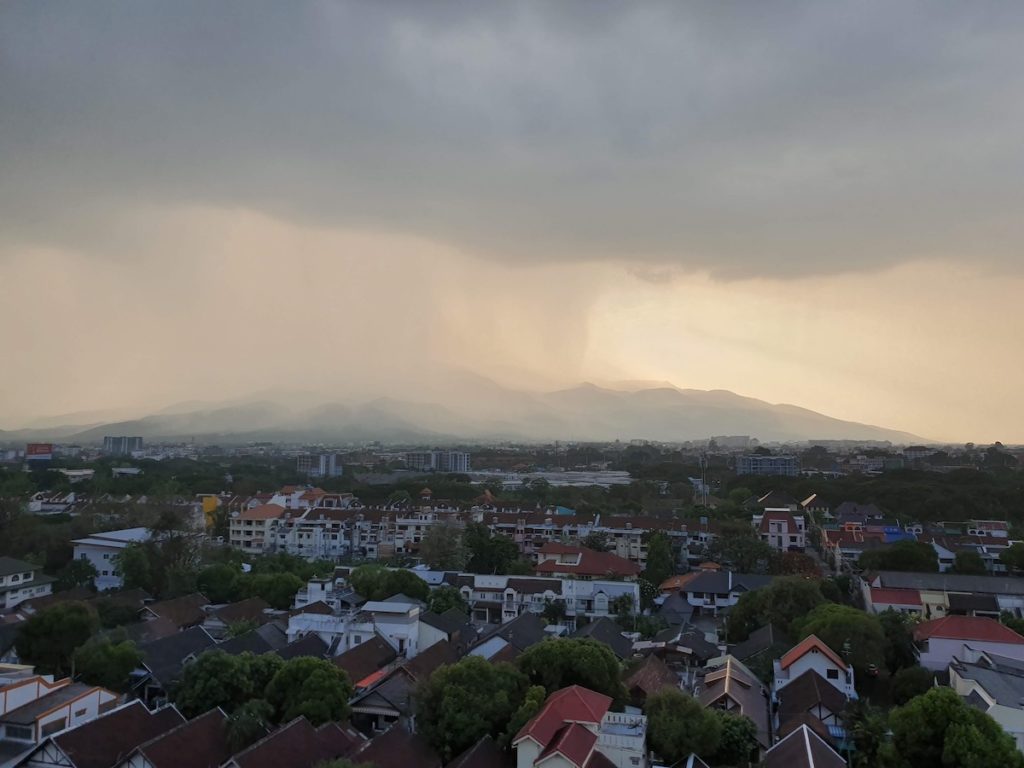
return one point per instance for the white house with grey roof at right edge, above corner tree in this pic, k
(994, 685)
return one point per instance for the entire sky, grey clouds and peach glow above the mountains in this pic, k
(807, 203)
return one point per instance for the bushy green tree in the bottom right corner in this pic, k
(940, 729)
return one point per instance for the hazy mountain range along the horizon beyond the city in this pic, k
(474, 409)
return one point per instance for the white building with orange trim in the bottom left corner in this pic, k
(37, 707)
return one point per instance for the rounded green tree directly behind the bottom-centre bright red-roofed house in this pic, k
(559, 663)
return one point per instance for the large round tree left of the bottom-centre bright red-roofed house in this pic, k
(461, 704)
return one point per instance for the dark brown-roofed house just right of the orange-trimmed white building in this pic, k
(100, 743)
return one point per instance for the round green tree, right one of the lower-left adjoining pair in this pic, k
(312, 688)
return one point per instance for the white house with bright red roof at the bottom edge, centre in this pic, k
(576, 730)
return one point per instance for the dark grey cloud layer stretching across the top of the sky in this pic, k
(770, 139)
